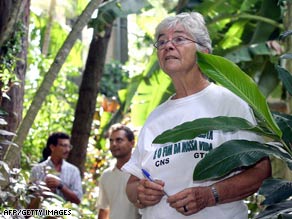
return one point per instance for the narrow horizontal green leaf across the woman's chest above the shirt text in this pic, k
(192, 129)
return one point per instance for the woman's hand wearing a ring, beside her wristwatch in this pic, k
(191, 200)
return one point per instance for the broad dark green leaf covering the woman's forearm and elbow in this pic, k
(235, 154)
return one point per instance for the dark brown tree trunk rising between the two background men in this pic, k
(86, 104)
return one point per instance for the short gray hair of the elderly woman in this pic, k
(193, 23)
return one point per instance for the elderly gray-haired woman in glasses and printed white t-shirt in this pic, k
(172, 193)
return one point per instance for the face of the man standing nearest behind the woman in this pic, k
(120, 146)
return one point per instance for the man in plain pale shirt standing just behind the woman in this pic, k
(113, 202)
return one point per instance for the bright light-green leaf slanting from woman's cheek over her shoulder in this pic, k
(233, 78)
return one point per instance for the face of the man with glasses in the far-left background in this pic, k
(62, 149)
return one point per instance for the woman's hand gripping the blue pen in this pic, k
(149, 193)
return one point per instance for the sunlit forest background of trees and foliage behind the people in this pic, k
(57, 74)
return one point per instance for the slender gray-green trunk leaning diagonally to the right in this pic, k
(49, 78)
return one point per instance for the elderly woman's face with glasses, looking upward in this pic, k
(176, 58)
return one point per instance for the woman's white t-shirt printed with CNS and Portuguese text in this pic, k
(174, 163)
